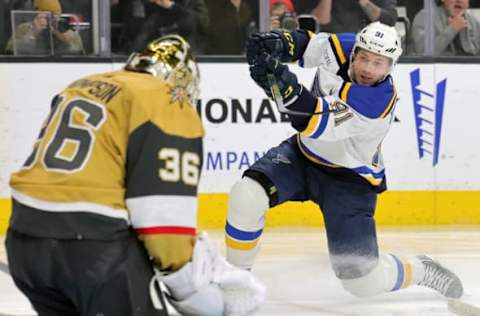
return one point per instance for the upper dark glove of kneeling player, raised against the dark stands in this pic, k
(279, 44)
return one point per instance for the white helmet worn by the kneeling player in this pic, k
(380, 39)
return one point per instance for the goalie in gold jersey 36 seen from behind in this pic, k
(110, 192)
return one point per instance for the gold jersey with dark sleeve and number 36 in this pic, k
(121, 145)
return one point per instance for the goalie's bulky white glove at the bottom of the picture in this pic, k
(208, 285)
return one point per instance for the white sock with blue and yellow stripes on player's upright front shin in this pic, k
(247, 206)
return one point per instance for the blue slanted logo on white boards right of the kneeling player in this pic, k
(428, 108)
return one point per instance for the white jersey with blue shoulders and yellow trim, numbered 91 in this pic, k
(350, 137)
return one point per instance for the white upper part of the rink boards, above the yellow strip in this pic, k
(232, 143)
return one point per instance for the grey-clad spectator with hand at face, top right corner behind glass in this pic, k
(457, 32)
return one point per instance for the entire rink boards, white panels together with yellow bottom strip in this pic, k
(431, 152)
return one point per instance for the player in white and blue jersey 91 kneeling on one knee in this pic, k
(335, 158)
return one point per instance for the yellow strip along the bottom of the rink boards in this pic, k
(396, 208)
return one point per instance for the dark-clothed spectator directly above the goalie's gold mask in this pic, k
(188, 18)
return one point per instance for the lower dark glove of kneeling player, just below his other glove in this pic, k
(286, 80)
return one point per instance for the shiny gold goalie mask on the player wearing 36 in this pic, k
(169, 58)
